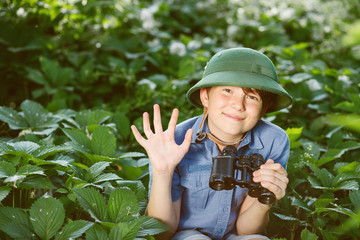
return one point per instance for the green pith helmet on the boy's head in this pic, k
(241, 67)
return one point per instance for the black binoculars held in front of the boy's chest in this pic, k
(223, 172)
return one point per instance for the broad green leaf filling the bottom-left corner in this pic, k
(15, 222)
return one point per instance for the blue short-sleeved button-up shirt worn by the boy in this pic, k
(211, 212)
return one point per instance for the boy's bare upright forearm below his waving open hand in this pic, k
(160, 204)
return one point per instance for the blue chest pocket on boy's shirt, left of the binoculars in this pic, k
(196, 189)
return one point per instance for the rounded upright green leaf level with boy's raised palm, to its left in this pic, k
(103, 142)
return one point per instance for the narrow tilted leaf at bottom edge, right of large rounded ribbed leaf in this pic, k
(73, 230)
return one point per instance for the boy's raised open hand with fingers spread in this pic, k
(160, 146)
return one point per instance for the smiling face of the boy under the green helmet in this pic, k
(231, 111)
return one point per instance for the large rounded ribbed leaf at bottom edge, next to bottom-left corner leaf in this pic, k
(47, 216)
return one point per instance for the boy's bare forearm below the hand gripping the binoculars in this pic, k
(254, 219)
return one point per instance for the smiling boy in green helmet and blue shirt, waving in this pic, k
(238, 87)
